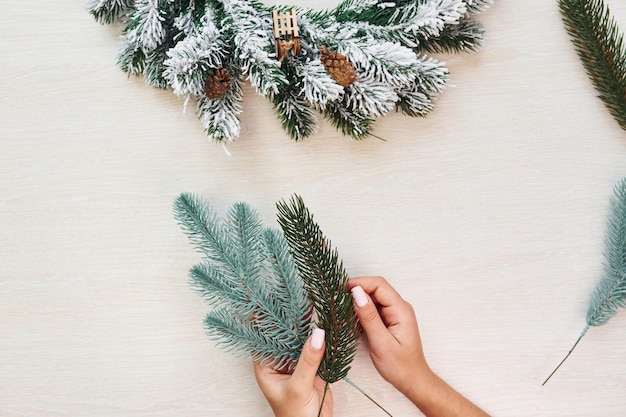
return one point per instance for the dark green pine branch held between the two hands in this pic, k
(326, 282)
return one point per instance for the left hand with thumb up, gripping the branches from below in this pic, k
(299, 394)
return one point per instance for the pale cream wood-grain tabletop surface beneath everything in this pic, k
(489, 216)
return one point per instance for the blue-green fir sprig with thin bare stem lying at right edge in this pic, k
(610, 293)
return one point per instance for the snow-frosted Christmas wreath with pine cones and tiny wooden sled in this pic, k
(352, 64)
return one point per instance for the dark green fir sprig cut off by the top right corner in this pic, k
(600, 46)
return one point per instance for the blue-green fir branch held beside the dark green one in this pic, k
(248, 276)
